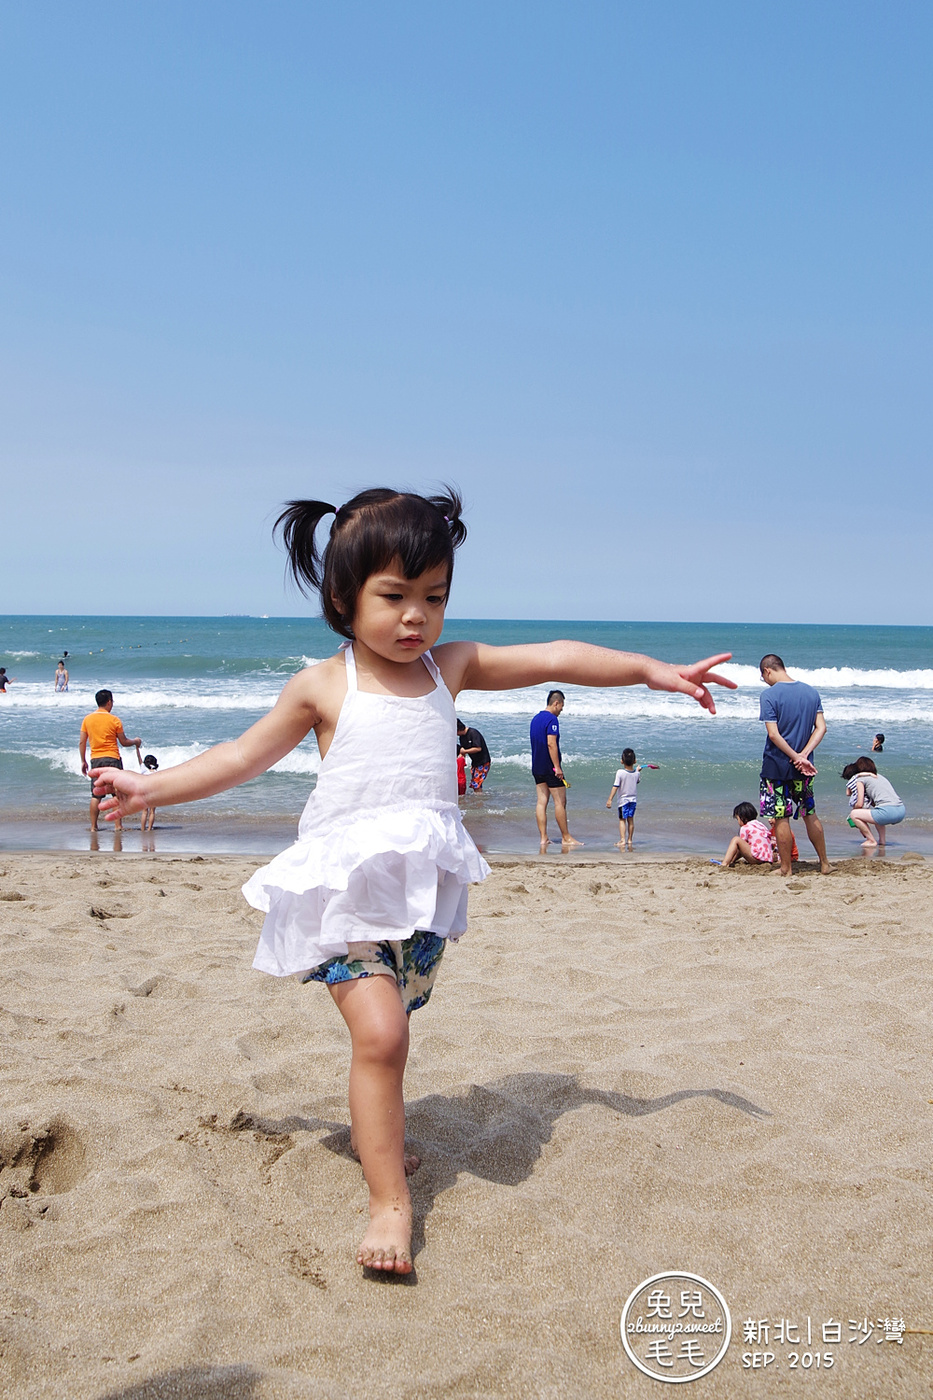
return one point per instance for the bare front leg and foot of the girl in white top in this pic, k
(379, 1031)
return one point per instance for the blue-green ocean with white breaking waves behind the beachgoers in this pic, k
(184, 684)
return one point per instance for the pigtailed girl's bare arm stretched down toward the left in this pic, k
(225, 766)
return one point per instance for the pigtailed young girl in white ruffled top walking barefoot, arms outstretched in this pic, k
(369, 895)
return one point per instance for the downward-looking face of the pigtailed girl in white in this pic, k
(400, 618)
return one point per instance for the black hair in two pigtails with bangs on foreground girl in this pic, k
(371, 533)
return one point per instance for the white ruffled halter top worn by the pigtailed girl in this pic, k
(382, 849)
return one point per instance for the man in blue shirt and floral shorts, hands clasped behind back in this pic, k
(794, 715)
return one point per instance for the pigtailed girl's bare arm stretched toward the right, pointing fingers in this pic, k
(473, 666)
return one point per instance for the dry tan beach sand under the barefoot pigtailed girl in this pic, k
(626, 1069)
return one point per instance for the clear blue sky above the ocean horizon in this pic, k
(651, 282)
